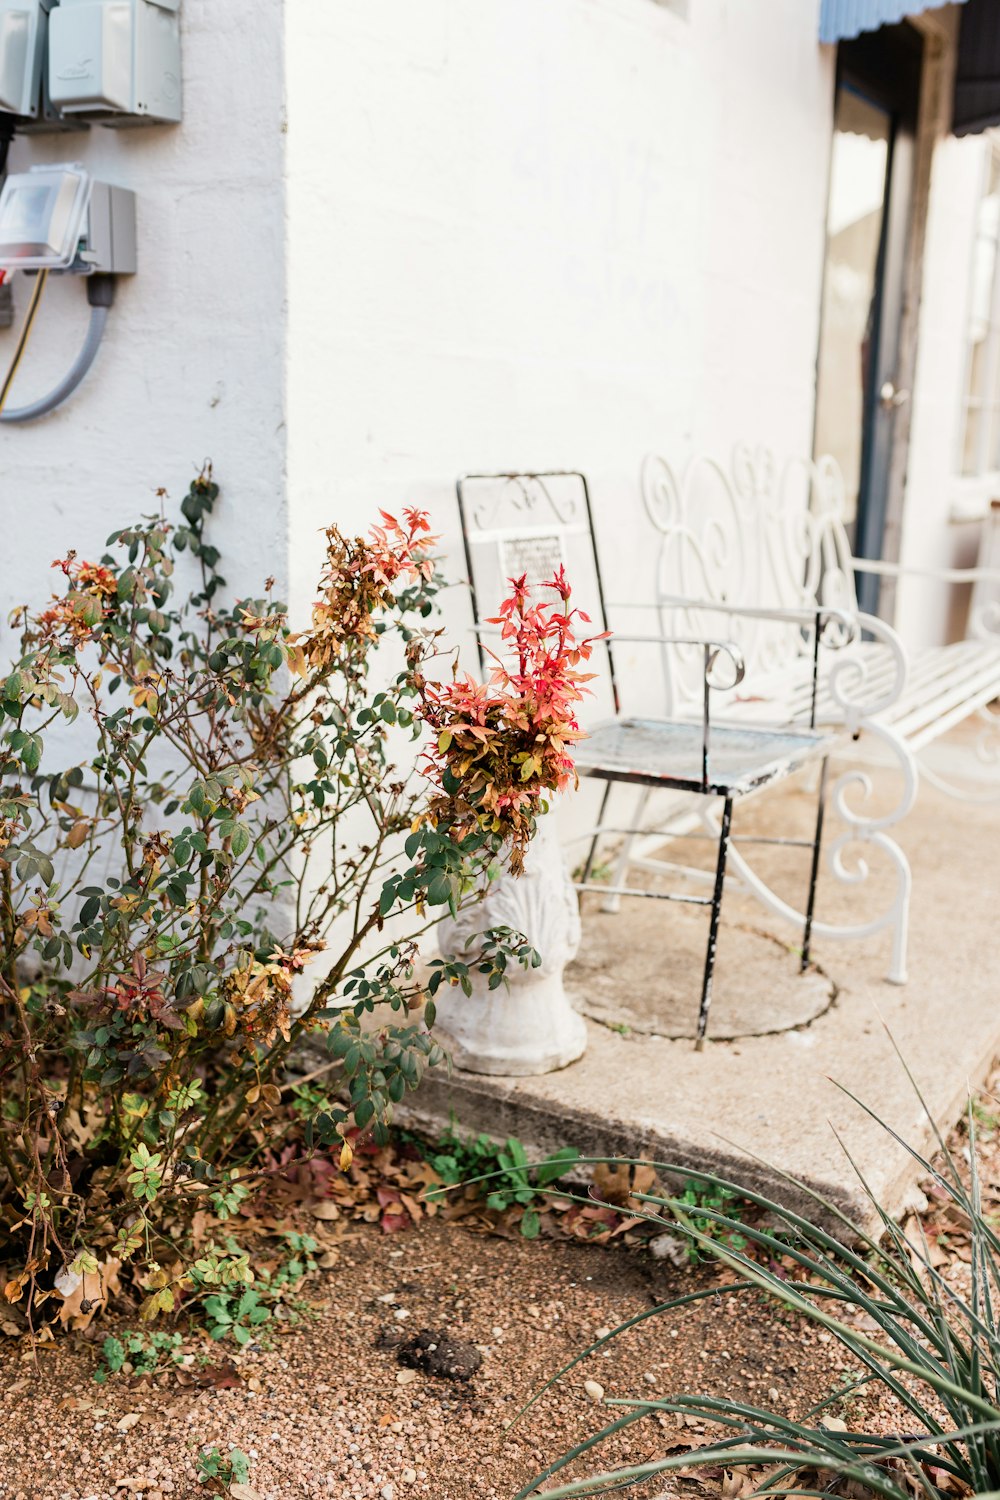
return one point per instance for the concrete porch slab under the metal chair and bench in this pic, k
(644, 1091)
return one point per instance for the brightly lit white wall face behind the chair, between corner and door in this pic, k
(549, 235)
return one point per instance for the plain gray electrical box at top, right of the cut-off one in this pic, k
(116, 61)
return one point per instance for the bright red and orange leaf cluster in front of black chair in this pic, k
(504, 743)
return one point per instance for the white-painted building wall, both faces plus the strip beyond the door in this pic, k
(518, 236)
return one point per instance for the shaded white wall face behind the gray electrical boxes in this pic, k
(194, 359)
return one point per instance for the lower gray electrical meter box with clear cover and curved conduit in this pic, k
(58, 218)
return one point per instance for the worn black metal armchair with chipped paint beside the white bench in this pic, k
(533, 523)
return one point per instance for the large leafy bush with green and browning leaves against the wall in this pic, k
(215, 845)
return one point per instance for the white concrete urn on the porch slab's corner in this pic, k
(528, 1025)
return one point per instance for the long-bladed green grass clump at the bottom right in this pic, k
(927, 1343)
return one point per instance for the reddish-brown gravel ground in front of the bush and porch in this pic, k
(329, 1411)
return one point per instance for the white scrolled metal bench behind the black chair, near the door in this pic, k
(749, 550)
